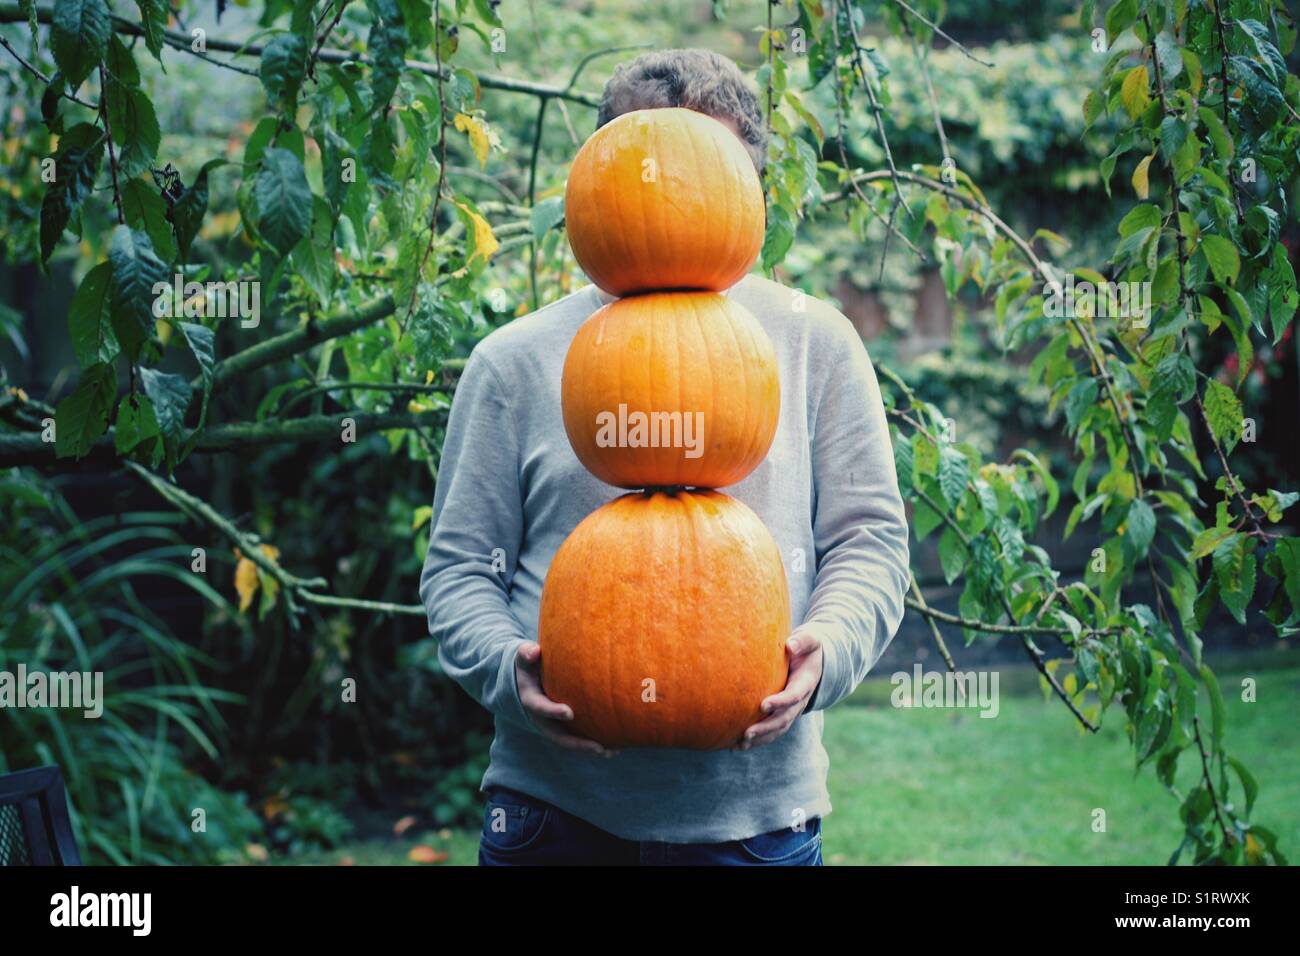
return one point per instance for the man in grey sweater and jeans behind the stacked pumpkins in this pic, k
(510, 491)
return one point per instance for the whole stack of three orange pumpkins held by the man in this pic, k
(665, 615)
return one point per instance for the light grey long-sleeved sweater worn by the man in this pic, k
(510, 491)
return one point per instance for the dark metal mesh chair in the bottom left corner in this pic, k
(34, 825)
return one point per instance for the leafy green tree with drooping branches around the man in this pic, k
(370, 256)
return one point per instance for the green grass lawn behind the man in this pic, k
(915, 786)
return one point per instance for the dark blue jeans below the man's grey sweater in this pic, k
(521, 830)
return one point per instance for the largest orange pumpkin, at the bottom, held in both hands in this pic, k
(664, 621)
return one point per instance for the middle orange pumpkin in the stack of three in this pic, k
(671, 390)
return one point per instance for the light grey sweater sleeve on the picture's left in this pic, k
(478, 529)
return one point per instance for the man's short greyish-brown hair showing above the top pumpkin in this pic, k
(699, 80)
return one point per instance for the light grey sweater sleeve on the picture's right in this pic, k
(860, 526)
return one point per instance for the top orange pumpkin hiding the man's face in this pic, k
(665, 200)
